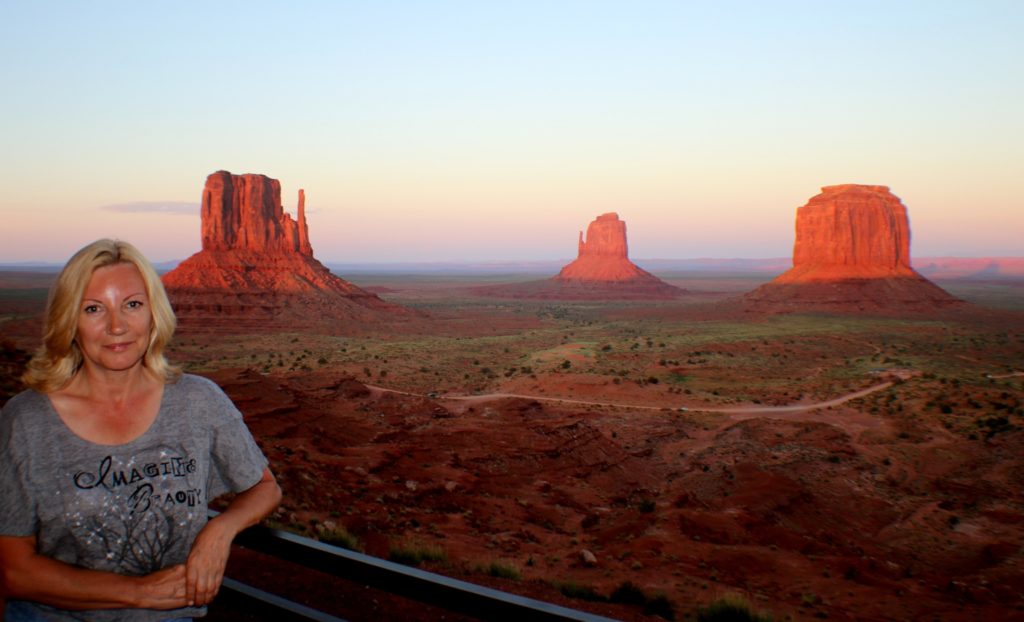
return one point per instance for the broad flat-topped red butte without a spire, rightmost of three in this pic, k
(852, 255)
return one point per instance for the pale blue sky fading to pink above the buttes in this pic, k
(495, 132)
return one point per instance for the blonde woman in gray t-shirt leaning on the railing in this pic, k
(109, 461)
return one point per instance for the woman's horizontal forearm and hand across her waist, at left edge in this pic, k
(27, 575)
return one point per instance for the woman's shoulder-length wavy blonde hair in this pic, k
(60, 358)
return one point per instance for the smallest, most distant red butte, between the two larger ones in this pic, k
(603, 271)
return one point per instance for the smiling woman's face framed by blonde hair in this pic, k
(115, 320)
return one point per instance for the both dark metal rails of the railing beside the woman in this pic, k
(414, 584)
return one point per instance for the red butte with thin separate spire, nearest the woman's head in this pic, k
(257, 270)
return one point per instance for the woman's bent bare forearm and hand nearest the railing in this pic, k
(205, 568)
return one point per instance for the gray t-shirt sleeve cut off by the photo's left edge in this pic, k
(18, 508)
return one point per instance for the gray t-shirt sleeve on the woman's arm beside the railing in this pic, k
(236, 462)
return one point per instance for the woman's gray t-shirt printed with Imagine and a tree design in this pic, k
(131, 509)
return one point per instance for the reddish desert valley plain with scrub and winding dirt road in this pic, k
(662, 453)
